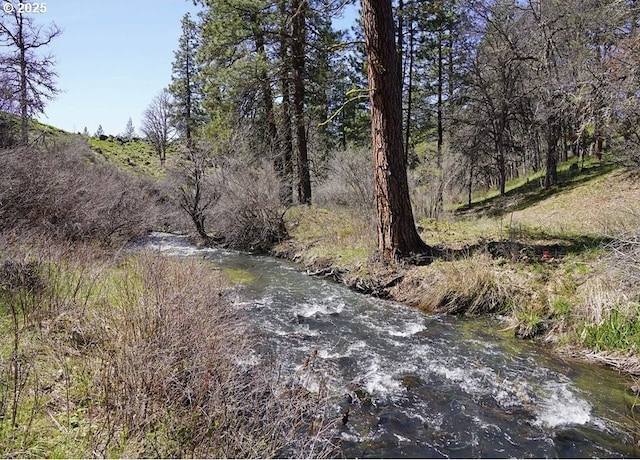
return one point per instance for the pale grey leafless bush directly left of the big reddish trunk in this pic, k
(349, 180)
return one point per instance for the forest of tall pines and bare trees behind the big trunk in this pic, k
(490, 89)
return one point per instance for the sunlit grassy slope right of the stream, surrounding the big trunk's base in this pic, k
(534, 257)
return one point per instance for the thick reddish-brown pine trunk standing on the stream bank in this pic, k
(397, 234)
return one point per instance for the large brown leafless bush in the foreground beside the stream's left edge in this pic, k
(180, 377)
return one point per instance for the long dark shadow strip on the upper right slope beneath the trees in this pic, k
(531, 192)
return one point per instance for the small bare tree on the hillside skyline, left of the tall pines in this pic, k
(156, 124)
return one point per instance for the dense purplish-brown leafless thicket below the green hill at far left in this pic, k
(62, 193)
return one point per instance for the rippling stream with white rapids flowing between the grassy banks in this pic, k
(426, 386)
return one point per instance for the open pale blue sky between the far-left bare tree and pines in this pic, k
(112, 58)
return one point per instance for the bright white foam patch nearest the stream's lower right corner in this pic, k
(561, 407)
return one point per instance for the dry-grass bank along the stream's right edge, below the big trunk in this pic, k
(514, 282)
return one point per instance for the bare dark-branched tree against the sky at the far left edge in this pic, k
(27, 74)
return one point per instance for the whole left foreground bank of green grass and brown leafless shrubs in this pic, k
(138, 357)
